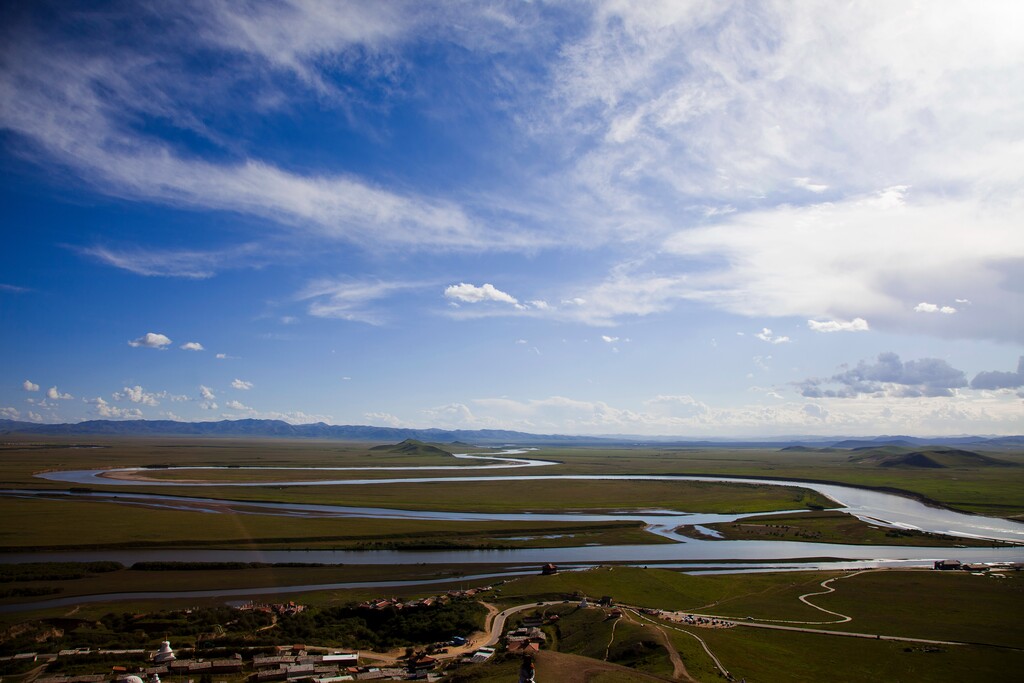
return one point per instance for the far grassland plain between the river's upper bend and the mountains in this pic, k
(979, 489)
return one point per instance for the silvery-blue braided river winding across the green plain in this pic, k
(873, 506)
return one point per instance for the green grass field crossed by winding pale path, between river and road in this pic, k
(938, 606)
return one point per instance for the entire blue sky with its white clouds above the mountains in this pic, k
(698, 220)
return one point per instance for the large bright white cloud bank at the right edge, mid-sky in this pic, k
(841, 260)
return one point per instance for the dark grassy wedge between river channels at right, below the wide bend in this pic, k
(831, 527)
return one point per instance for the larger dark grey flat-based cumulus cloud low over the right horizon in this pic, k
(889, 376)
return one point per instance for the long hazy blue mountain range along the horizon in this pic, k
(364, 434)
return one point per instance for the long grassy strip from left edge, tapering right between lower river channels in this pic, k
(42, 525)
